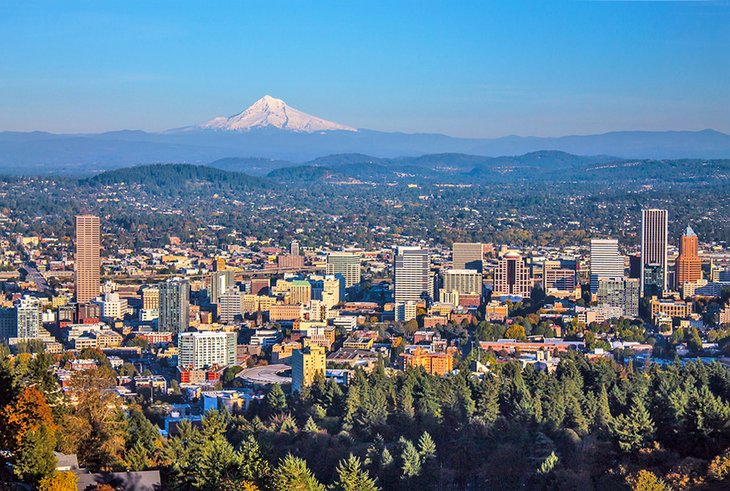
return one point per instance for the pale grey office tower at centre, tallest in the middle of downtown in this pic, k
(411, 274)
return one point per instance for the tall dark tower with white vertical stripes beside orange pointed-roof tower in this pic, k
(654, 231)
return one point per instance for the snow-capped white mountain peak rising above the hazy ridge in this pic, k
(271, 112)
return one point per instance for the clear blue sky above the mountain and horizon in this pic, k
(476, 69)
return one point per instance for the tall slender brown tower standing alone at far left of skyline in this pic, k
(88, 264)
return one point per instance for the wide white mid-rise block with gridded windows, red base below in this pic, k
(206, 349)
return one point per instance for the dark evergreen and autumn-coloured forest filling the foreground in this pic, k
(589, 425)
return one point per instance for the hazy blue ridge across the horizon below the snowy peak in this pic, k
(259, 148)
